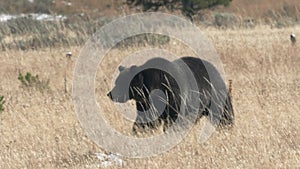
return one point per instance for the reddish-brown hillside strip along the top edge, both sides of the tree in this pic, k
(256, 8)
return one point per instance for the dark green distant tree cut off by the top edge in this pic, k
(188, 7)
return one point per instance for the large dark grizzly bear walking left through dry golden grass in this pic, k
(160, 86)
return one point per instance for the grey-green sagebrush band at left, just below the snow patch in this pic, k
(26, 33)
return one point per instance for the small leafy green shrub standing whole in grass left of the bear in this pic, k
(30, 81)
